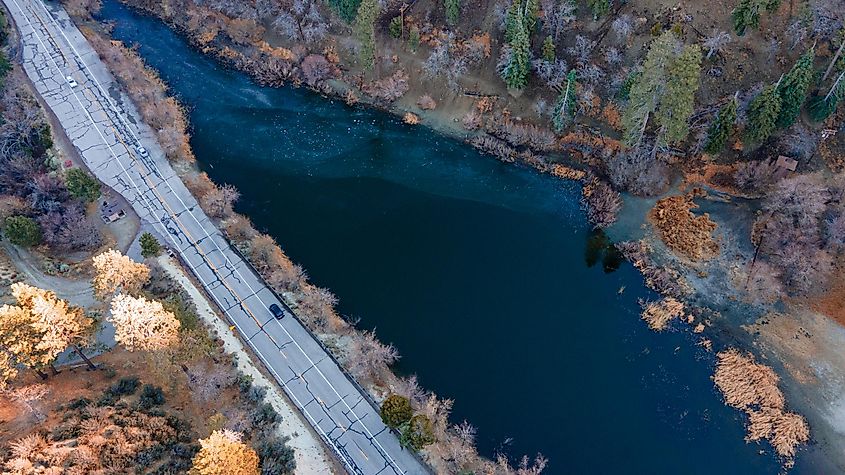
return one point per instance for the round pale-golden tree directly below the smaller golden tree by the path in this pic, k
(142, 324)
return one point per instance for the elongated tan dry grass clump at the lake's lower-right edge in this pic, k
(753, 388)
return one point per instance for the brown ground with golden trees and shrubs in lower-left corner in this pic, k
(118, 415)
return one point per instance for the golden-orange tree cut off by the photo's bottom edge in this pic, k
(223, 453)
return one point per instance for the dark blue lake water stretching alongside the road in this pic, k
(475, 270)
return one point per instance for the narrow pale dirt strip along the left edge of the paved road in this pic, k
(308, 449)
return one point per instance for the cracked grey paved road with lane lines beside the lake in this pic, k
(105, 127)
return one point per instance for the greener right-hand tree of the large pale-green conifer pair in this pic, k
(678, 100)
